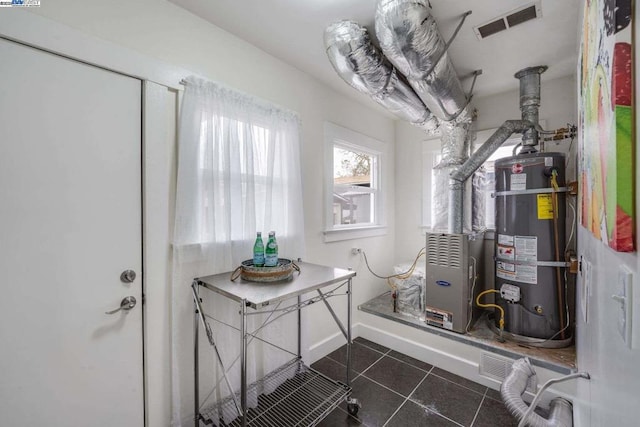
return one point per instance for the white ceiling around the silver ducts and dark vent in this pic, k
(292, 30)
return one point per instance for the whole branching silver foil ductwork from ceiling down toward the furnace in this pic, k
(410, 40)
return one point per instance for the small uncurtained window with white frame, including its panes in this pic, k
(353, 185)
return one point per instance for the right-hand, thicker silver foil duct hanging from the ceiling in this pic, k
(409, 38)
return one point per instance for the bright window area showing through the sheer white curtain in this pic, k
(243, 174)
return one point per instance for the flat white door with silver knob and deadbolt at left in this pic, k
(70, 224)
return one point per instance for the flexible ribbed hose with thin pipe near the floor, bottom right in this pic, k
(514, 386)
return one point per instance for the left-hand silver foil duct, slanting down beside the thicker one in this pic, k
(364, 68)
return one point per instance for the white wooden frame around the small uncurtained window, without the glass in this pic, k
(337, 136)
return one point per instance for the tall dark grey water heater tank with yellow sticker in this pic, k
(530, 244)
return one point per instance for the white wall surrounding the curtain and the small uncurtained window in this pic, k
(159, 29)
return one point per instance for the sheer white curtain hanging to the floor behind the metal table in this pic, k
(238, 173)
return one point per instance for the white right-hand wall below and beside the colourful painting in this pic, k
(611, 396)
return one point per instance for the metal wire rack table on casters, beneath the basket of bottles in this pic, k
(304, 396)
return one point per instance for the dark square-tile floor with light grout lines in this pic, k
(397, 390)
